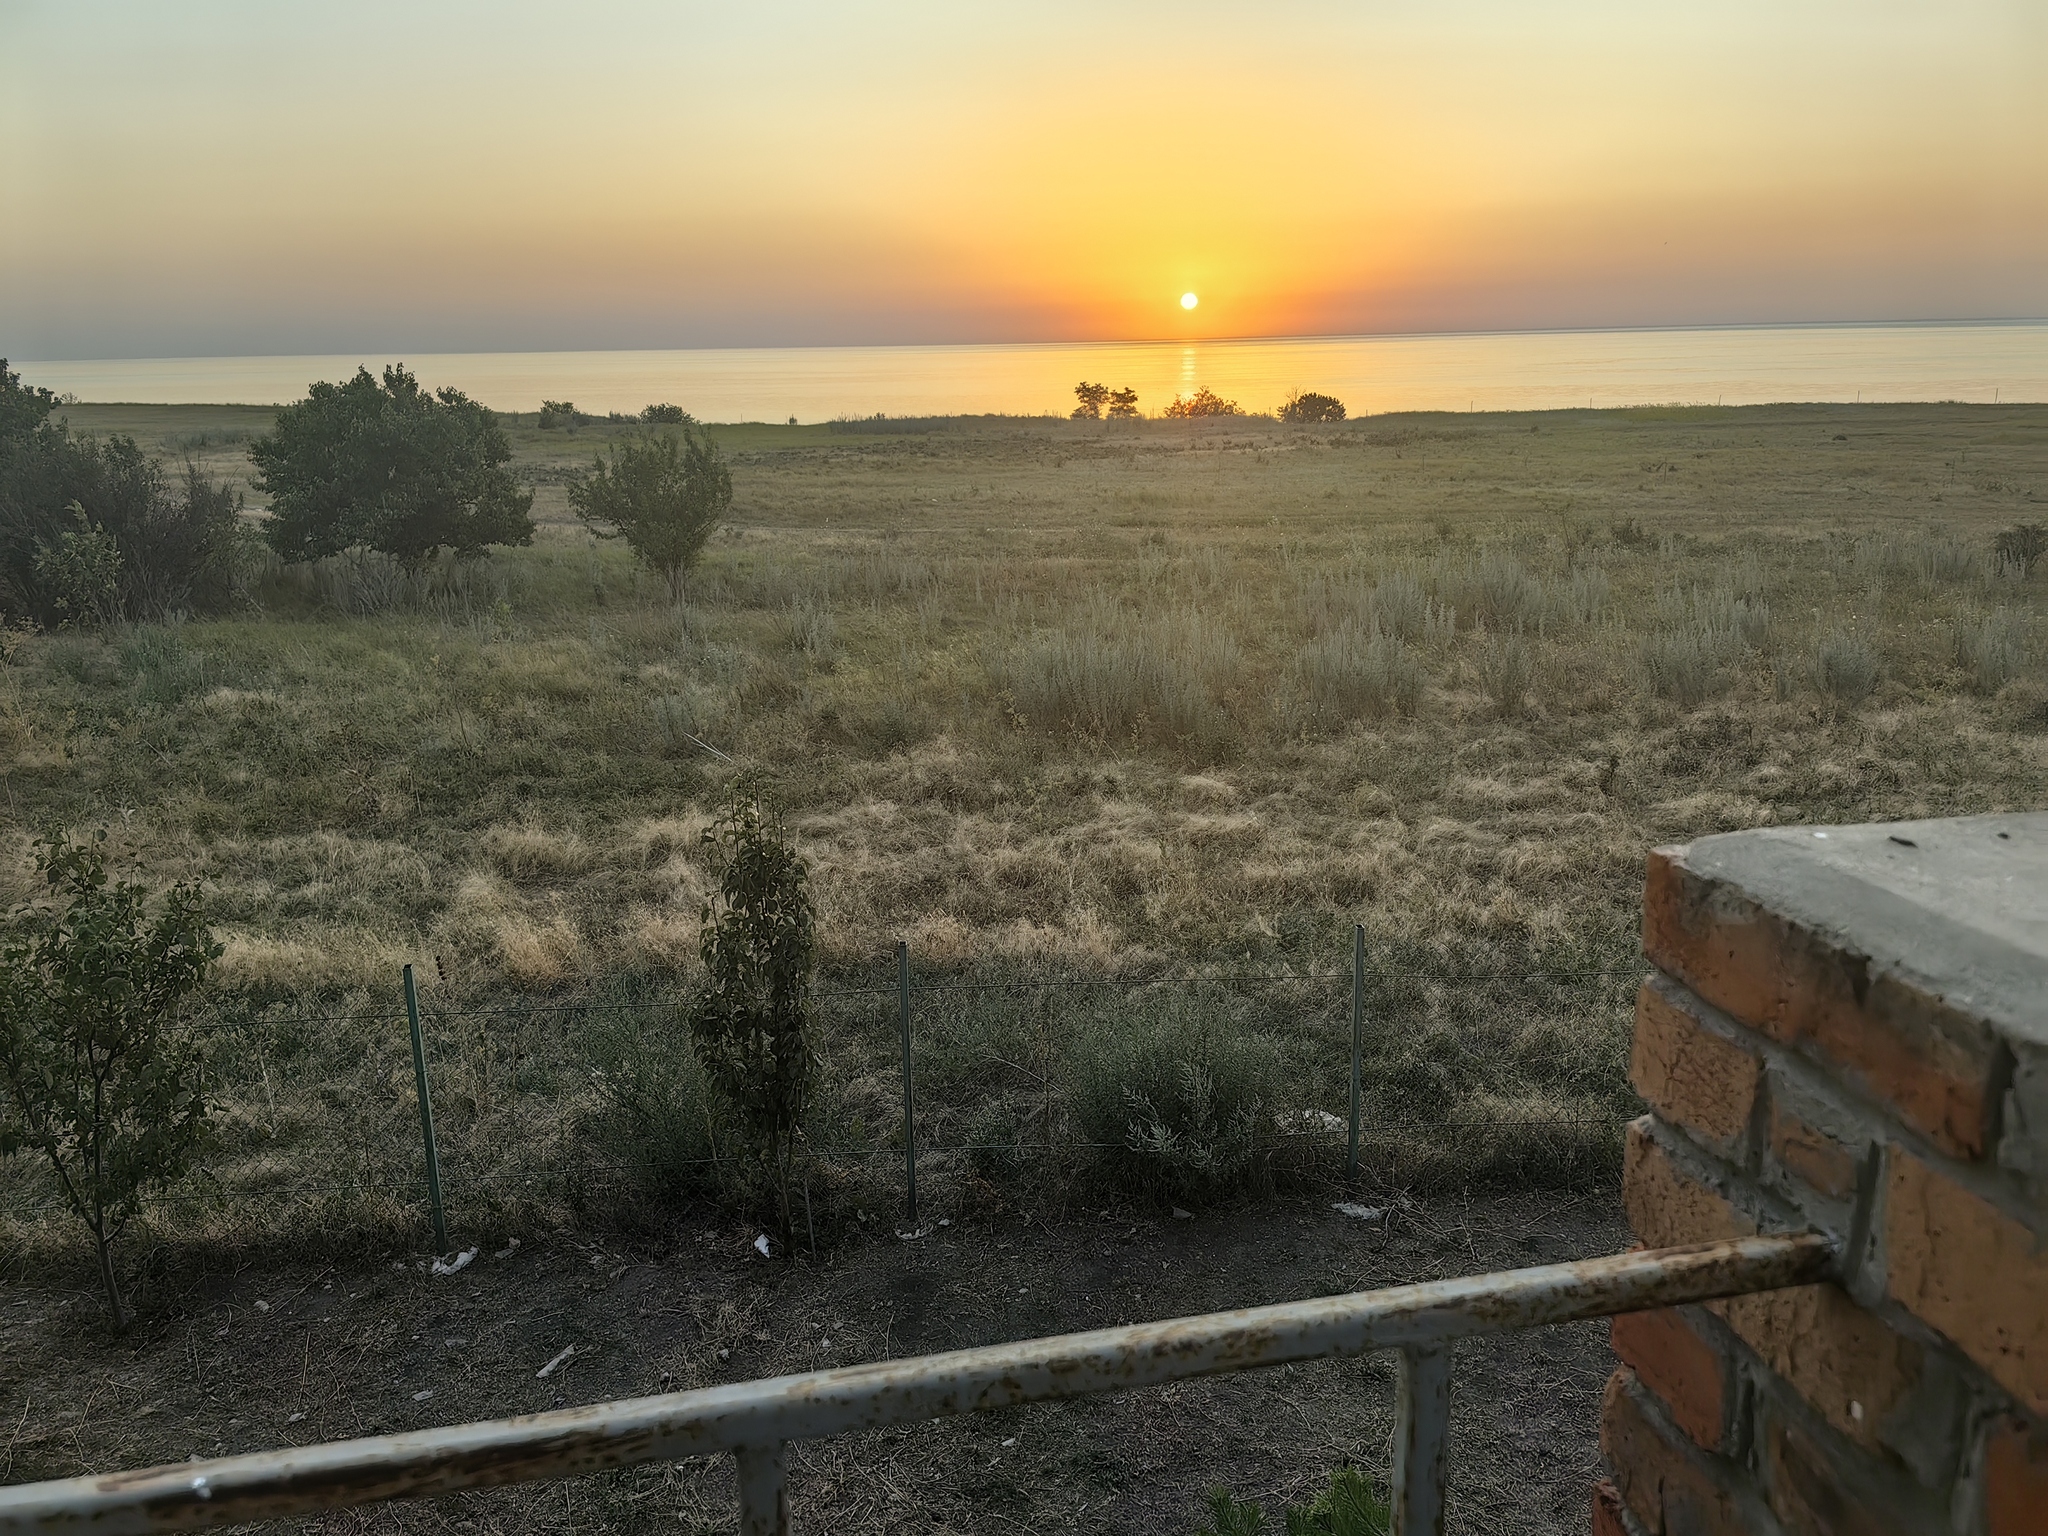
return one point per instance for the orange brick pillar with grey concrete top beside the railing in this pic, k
(1846, 1029)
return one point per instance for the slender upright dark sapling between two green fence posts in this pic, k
(751, 1021)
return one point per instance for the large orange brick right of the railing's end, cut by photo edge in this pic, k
(1973, 1273)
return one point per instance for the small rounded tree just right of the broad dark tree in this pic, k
(663, 495)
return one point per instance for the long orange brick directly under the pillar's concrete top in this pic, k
(1904, 1048)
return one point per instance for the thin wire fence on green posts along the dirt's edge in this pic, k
(1177, 1084)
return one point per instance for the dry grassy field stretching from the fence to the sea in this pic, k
(1054, 703)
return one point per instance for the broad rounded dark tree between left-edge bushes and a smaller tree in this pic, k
(392, 468)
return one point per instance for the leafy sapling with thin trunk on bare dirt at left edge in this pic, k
(99, 1076)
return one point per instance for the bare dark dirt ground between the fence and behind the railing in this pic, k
(275, 1355)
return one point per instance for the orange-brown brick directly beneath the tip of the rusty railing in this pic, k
(1850, 1367)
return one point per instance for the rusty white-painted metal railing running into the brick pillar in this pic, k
(757, 1420)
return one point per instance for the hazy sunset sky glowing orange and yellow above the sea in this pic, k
(280, 177)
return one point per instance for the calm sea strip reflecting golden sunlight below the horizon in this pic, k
(1734, 366)
